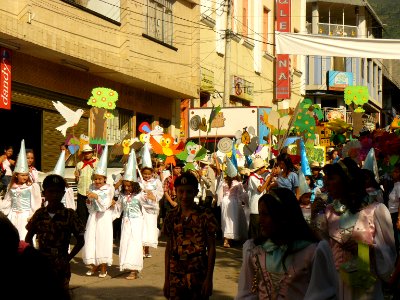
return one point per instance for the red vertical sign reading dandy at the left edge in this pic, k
(5, 78)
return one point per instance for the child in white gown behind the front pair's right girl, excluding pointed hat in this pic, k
(153, 190)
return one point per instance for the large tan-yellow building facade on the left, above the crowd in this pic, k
(145, 50)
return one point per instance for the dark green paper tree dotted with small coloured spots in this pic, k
(305, 122)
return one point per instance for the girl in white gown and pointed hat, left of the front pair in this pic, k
(98, 249)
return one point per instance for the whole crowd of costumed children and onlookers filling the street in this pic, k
(307, 231)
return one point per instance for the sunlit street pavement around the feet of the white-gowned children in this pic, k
(150, 285)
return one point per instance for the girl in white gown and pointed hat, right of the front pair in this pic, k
(130, 203)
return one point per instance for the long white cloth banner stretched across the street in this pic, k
(309, 44)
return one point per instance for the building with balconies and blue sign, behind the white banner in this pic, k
(327, 77)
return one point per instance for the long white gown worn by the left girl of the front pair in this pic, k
(98, 247)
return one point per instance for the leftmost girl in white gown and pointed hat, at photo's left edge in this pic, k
(23, 197)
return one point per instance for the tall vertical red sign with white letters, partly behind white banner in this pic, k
(283, 8)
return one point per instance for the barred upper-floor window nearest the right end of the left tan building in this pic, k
(160, 20)
